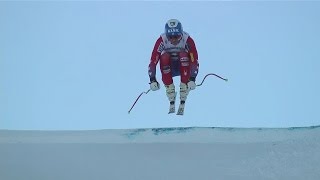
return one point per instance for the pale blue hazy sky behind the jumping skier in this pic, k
(81, 65)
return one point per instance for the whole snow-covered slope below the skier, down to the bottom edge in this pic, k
(182, 153)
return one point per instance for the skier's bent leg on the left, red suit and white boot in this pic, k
(167, 76)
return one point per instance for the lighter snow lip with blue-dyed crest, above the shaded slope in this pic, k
(163, 135)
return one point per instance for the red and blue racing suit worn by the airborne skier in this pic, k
(175, 60)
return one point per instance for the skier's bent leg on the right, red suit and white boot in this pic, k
(184, 75)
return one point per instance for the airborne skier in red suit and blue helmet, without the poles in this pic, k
(178, 56)
